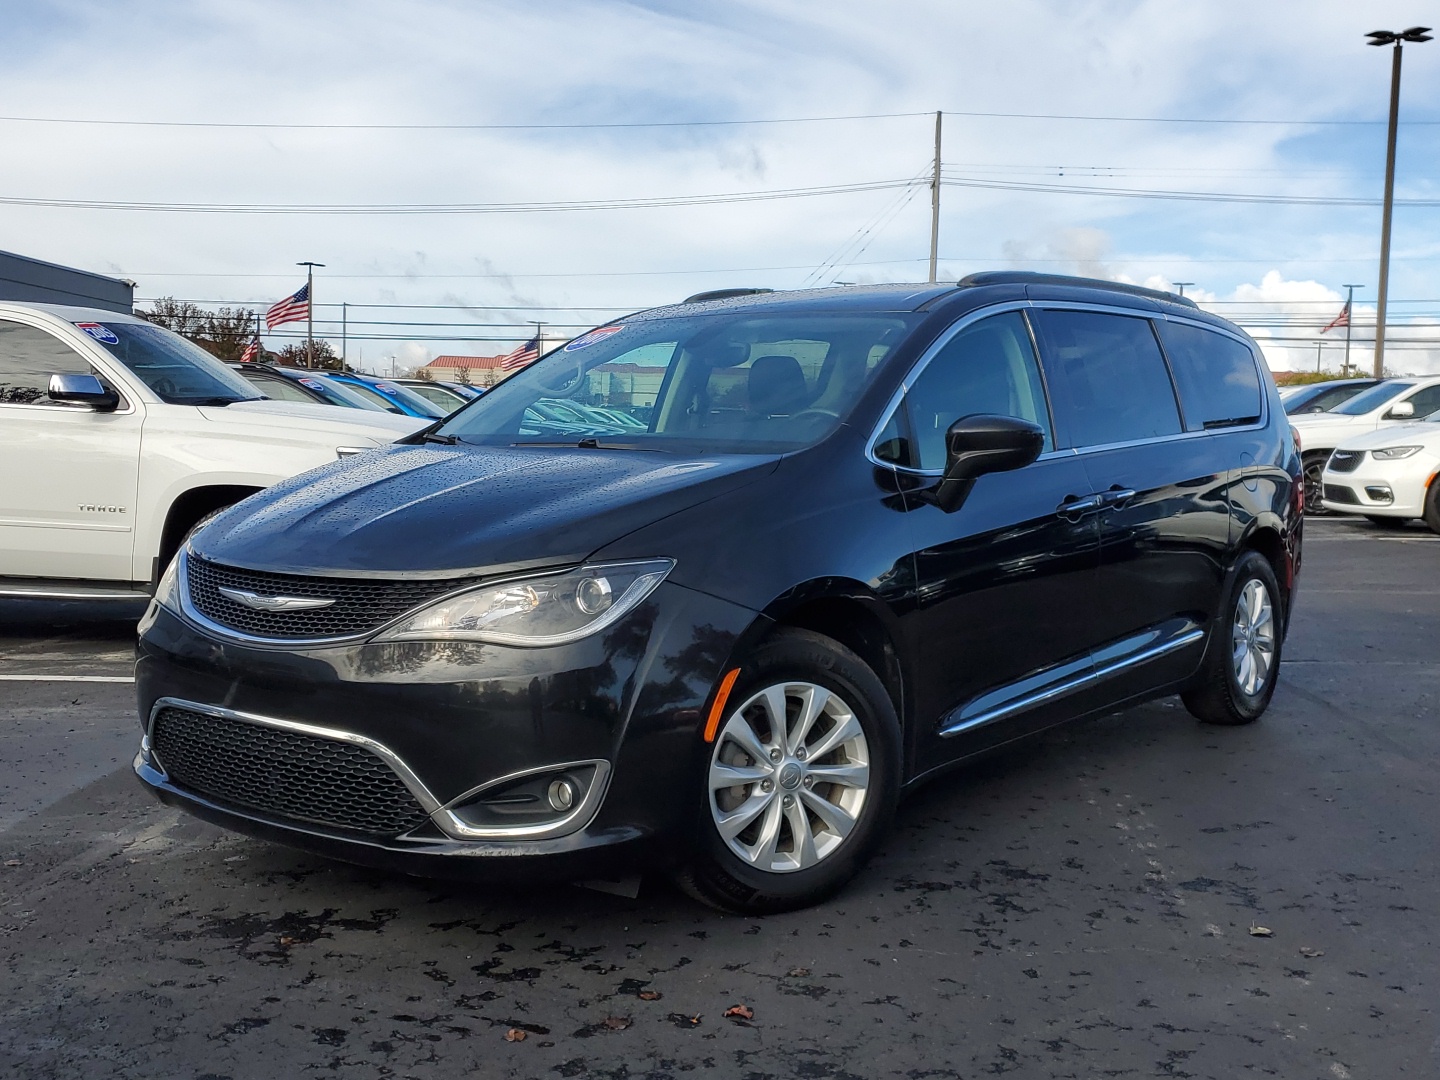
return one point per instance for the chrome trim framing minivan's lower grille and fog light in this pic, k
(440, 814)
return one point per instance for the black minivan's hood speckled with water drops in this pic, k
(454, 509)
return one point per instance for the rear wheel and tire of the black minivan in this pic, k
(1243, 656)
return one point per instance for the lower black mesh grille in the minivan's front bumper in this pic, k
(284, 774)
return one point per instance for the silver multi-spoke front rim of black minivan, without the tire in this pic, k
(788, 777)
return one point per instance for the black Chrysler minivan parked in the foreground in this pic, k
(833, 544)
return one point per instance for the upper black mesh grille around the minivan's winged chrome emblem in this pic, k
(361, 604)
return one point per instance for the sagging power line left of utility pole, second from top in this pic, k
(457, 208)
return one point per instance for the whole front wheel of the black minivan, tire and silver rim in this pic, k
(801, 780)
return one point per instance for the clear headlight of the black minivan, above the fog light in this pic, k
(534, 613)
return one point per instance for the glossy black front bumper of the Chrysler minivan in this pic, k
(451, 719)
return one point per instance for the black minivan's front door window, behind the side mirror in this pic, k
(989, 368)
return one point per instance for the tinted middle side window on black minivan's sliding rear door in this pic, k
(1108, 378)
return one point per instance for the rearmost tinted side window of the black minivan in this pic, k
(1218, 377)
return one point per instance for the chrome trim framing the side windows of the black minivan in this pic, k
(1062, 306)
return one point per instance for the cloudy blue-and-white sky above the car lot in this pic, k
(247, 107)
